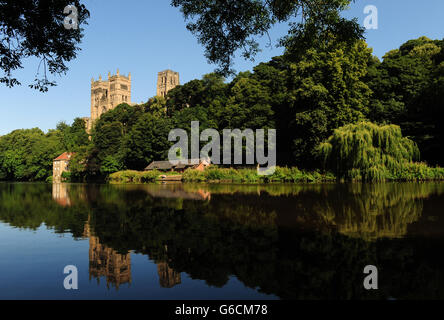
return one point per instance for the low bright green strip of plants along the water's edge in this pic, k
(411, 172)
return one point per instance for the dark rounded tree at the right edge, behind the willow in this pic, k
(407, 91)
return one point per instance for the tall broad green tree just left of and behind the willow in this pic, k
(325, 91)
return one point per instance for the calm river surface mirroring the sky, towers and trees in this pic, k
(222, 241)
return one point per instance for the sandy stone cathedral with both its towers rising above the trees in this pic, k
(108, 94)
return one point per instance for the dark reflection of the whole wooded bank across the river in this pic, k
(296, 243)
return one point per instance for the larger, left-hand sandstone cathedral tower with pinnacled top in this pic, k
(106, 95)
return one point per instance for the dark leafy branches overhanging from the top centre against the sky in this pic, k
(225, 26)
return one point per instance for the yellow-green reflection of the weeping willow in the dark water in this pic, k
(372, 211)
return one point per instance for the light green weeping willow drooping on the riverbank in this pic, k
(367, 151)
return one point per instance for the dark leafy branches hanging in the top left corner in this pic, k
(33, 28)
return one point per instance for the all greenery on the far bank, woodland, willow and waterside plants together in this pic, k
(340, 114)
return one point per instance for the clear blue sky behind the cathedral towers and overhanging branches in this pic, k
(145, 37)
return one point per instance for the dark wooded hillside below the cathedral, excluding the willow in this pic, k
(304, 94)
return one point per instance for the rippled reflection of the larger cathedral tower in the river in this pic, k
(106, 262)
